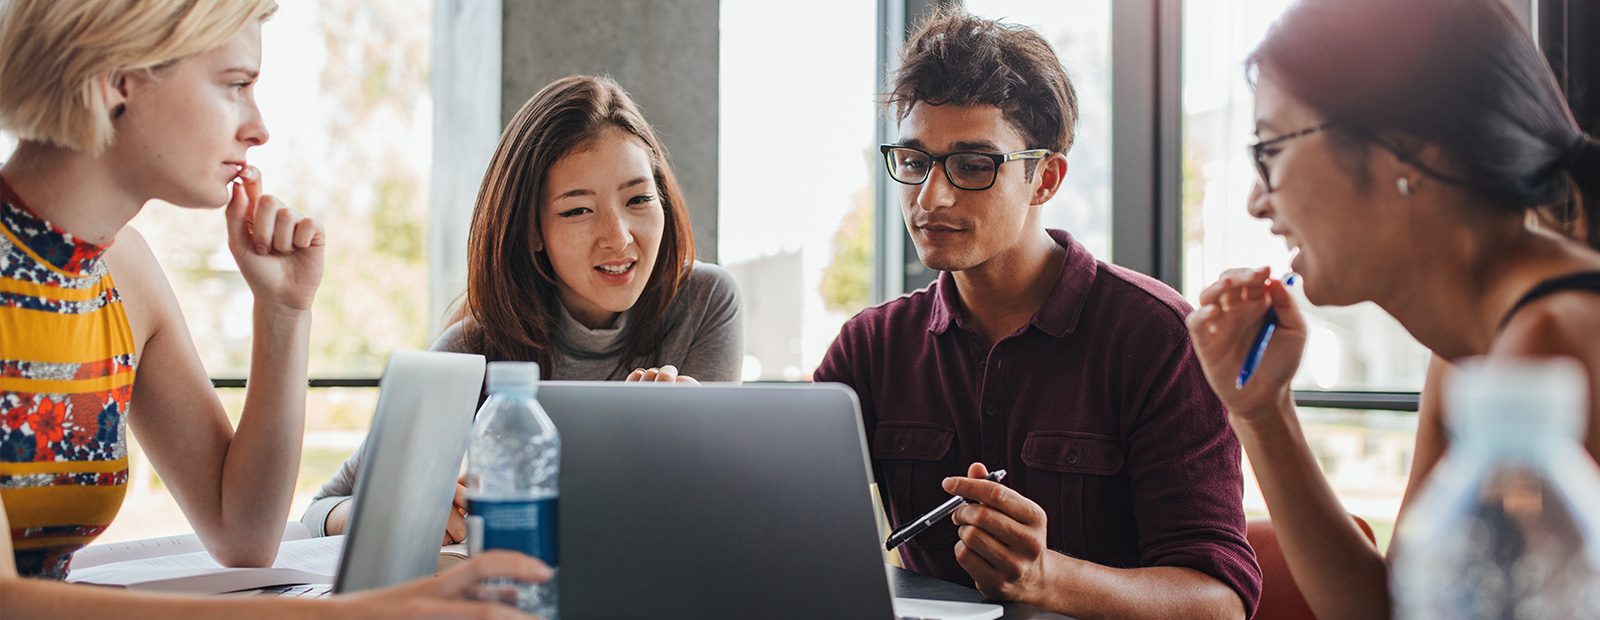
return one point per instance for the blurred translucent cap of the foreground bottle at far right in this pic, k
(1492, 399)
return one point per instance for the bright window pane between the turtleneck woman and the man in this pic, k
(798, 161)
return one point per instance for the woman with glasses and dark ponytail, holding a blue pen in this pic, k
(1418, 156)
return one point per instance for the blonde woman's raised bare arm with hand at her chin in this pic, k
(234, 485)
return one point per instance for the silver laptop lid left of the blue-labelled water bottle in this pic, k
(409, 469)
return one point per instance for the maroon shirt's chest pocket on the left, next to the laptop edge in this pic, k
(914, 459)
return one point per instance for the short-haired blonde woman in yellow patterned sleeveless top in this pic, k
(118, 106)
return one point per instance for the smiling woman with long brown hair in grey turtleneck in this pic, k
(582, 260)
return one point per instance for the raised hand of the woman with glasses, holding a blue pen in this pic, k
(1231, 317)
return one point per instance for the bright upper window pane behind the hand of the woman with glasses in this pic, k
(1351, 349)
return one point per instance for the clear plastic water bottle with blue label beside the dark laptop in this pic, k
(513, 464)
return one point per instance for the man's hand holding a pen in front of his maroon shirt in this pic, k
(1002, 538)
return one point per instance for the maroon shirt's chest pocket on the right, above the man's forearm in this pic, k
(1068, 474)
